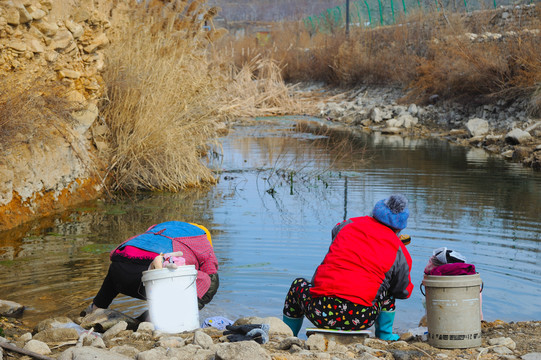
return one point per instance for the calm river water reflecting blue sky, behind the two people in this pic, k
(279, 194)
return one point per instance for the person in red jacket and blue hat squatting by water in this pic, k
(366, 268)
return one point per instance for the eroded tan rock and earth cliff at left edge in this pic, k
(54, 165)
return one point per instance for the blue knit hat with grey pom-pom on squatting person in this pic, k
(392, 211)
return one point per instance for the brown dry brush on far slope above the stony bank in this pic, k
(427, 53)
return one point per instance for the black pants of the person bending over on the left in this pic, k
(122, 278)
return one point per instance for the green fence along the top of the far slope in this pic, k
(369, 13)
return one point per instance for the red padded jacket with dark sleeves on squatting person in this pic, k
(364, 259)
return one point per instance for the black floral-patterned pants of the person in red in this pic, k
(332, 312)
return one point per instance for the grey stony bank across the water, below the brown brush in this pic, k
(501, 129)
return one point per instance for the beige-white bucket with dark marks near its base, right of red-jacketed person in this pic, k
(453, 311)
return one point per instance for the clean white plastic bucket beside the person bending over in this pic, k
(172, 298)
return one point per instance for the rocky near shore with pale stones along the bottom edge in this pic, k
(121, 337)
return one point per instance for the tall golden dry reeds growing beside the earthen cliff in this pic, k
(161, 105)
